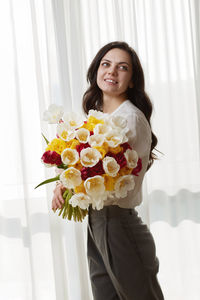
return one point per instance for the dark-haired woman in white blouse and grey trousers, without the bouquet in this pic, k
(121, 250)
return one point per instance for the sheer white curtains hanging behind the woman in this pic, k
(45, 50)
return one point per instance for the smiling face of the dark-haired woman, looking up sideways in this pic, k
(114, 74)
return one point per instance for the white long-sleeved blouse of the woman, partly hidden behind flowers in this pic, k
(140, 141)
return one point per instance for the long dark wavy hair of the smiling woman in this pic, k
(93, 97)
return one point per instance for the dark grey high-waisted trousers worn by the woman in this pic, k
(121, 256)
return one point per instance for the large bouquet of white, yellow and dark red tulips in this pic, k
(93, 159)
